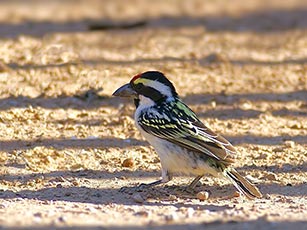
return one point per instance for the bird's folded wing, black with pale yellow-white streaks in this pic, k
(180, 125)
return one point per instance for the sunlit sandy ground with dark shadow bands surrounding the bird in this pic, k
(67, 146)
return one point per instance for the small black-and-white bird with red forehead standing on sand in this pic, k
(184, 144)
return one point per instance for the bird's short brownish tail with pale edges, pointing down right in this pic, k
(242, 184)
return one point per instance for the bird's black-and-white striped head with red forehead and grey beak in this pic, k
(151, 86)
